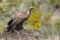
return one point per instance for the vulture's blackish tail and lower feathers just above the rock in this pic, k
(12, 27)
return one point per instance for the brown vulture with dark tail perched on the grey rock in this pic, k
(17, 20)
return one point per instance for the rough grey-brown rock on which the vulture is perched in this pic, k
(23, 35)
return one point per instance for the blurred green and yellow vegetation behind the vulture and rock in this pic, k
(45, 16)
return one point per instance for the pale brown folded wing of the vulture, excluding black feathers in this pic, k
(19, 17)
